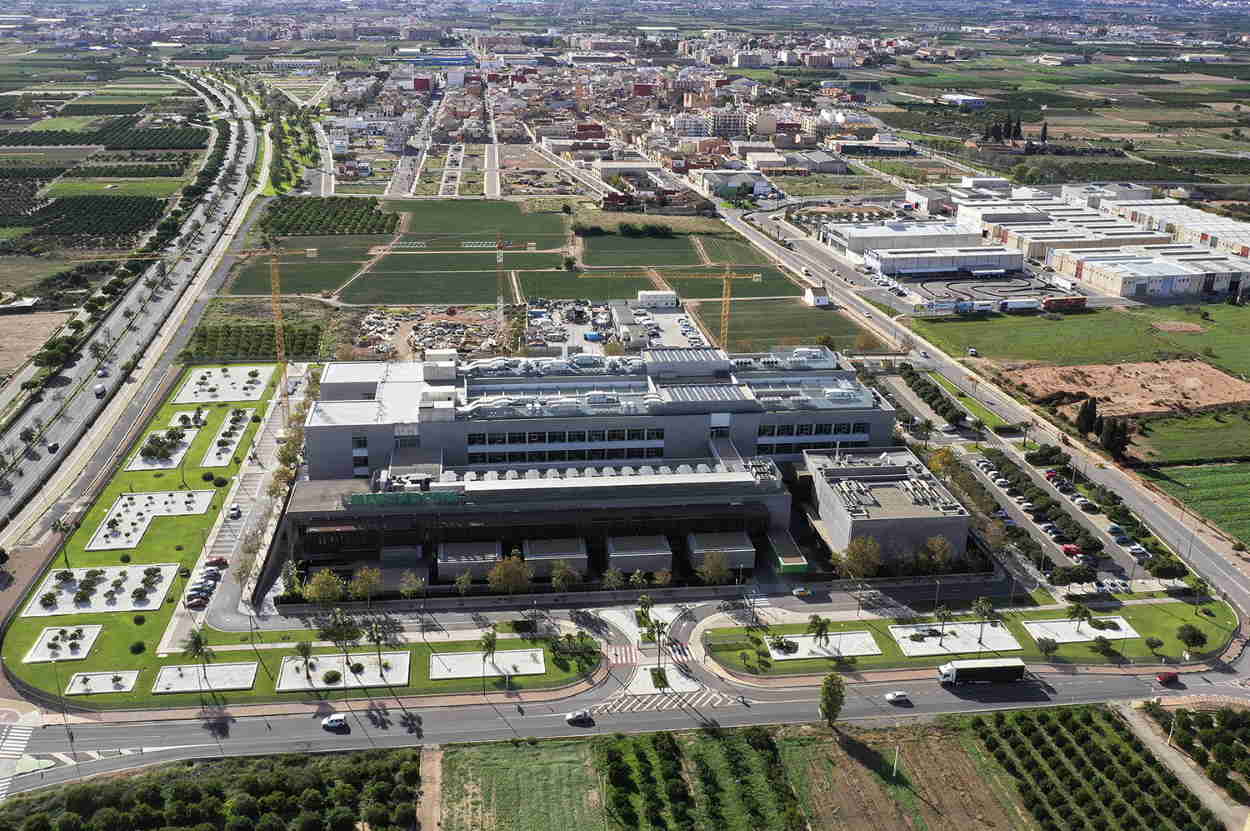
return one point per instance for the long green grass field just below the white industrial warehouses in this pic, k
(1099, 337)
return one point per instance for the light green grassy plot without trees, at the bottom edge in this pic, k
(547, 787)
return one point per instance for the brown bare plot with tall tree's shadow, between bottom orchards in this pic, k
(849, 783)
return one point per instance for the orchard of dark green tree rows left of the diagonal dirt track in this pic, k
(1083, 769)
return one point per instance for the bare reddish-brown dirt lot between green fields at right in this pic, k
(1138, 389)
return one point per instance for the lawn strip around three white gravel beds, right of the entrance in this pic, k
(1159, 620)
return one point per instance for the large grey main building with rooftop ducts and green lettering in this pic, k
(451, 465)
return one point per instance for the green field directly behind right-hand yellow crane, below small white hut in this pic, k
(762, 326)
